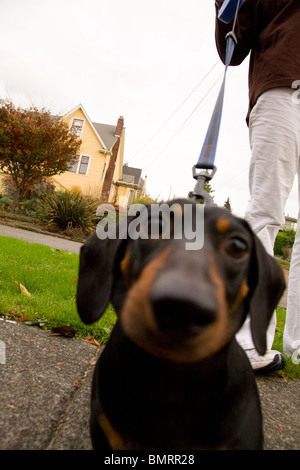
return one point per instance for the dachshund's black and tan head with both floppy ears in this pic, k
(178, 303)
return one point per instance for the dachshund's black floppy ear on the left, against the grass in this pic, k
(96, 276)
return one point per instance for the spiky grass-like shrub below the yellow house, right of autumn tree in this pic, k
(67, 210)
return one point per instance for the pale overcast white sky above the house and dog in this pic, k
(155, 63)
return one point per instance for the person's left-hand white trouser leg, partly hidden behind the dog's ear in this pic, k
(274, 139)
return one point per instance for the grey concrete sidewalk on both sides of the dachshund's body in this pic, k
(45, 394)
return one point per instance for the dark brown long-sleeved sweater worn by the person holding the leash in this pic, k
(270, 29)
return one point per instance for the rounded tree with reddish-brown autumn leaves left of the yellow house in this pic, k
(33, 145)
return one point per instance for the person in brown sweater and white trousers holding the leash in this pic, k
(269, 30)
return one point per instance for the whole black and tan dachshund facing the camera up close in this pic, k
(172, 375)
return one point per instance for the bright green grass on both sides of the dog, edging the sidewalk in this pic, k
(50, 276)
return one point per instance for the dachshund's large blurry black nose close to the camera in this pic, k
(181, 307)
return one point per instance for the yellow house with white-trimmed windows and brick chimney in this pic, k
(98, 169)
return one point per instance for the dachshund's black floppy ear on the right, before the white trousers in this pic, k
(267, 285)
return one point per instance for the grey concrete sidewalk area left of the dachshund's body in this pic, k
(45, 389)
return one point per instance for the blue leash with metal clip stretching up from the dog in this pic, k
(209, 148)
